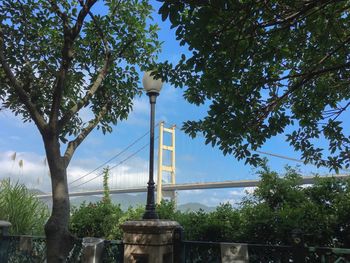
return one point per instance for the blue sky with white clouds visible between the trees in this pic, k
(195, 161)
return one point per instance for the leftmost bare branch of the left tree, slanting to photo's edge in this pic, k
(17, 86)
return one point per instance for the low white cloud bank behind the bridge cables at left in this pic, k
(35, 173)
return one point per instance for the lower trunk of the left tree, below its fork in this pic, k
(58, 239)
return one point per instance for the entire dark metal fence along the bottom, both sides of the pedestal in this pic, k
(18, 249)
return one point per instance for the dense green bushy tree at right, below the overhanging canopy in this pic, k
(280, 206)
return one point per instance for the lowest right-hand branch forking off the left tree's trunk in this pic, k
(73, 145)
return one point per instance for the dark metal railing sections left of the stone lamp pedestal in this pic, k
(30, 249)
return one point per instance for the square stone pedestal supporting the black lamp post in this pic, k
(149, 241)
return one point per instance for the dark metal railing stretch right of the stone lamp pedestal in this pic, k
(215, 252)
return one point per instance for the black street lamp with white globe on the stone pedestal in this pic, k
(152, 87)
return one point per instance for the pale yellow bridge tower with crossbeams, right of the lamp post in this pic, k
(166, 168)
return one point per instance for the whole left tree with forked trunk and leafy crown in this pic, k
(59, 58)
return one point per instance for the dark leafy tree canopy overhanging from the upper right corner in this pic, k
(264, 68)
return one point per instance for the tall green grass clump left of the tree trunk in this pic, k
(26, 213)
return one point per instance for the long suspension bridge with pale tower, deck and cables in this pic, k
(164, 187)
